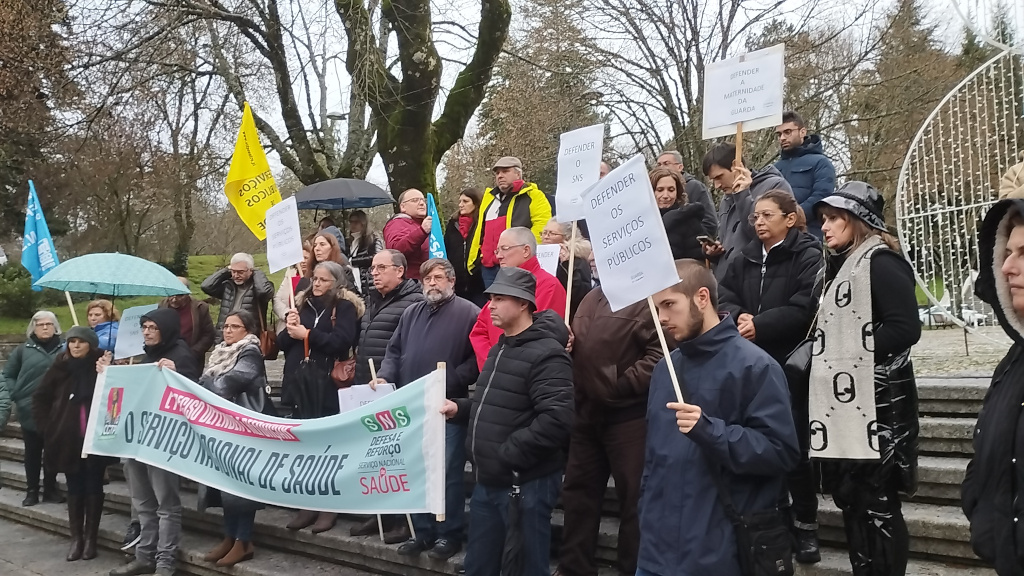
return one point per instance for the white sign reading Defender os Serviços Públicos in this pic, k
(631, 249)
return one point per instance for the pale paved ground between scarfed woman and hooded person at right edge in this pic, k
(946, 352)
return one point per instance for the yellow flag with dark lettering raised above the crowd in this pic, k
(250, 187)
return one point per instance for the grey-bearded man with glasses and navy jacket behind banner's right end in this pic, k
(432, 332)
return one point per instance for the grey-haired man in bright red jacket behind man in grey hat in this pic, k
(518, 249)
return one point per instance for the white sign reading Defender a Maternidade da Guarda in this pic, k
(746, 89)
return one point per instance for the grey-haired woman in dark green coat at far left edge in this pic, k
(23, 373)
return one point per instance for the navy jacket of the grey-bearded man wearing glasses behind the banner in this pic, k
(426, 336)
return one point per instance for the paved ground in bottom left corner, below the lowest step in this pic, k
(29, 552)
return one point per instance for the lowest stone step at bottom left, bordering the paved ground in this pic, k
(268, 562)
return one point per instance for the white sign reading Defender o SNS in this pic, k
(579, 169)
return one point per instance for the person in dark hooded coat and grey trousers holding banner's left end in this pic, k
(156, 492)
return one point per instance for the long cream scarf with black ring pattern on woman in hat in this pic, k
(843, 419)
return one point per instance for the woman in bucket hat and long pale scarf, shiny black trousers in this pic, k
(865, 332)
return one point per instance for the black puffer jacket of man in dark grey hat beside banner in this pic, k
(522, 414)
